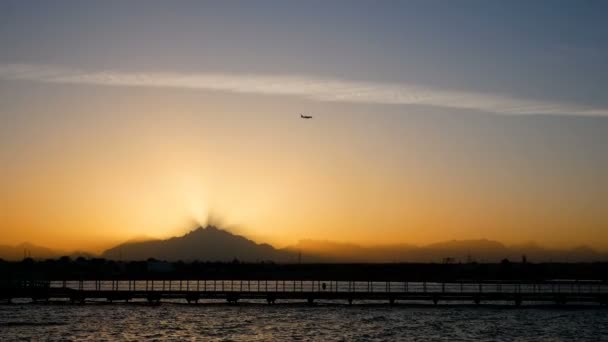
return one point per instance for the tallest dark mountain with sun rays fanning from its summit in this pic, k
(204, 244)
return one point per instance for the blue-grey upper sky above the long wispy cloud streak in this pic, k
(554, 50)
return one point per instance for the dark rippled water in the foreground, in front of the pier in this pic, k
(247, 322)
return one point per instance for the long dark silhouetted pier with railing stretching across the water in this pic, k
(308, 291)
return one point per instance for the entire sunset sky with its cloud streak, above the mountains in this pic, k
(432, 121)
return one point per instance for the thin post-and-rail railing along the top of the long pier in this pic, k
(327, 286)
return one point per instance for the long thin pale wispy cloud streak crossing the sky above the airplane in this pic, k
(310, 87)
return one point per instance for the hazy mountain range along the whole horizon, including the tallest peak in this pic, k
(214, 244)
